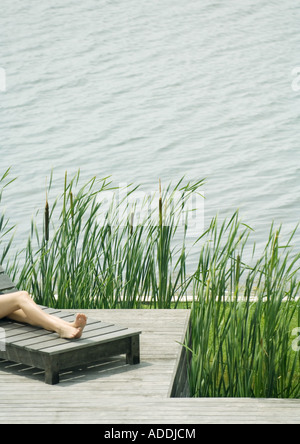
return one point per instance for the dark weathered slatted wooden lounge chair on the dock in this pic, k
(39, 348)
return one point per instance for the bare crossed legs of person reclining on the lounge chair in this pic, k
(20, 307)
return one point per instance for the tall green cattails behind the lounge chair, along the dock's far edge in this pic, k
(111, 264)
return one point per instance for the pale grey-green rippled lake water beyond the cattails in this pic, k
(142, 90)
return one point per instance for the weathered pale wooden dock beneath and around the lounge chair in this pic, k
(112, 392)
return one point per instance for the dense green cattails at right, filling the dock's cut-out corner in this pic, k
(241, 332)
